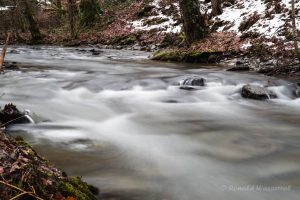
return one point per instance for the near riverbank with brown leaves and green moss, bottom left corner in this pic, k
(24, 174)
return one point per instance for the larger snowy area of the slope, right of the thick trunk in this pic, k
(269, 18)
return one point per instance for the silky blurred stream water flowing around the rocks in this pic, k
(121, 122)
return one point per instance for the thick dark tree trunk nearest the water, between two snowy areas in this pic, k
(194, 24)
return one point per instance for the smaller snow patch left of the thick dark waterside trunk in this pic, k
(169, 25)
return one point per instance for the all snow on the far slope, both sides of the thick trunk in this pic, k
(259, 17)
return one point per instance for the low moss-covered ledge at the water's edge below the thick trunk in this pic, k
(187, 56)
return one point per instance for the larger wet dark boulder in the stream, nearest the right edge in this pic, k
(257, 92)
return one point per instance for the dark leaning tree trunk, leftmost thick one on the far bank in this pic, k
(28, 14)
